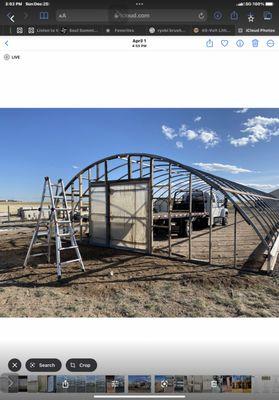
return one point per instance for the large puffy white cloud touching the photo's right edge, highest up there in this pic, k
(257, 129)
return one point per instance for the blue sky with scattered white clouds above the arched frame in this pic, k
(241, 145)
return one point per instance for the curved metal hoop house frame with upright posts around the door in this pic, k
(258, 209)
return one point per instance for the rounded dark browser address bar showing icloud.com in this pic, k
(133, 16)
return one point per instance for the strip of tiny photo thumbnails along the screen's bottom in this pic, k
(138, 384)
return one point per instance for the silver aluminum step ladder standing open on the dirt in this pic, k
(57, 226)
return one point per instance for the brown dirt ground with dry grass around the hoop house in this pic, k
(124, 284)
